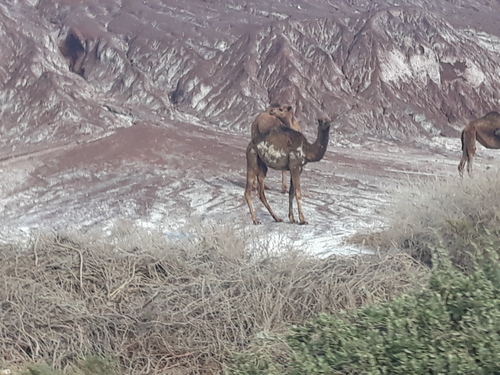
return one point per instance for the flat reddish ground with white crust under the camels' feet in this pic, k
(181, 175)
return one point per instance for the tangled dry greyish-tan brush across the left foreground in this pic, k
(158, 306)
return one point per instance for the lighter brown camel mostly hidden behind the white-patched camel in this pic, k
(274, 116)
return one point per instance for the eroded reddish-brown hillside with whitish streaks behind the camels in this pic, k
(391, 70)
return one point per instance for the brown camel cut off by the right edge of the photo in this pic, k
(486, 130)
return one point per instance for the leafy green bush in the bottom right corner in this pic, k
(450, 327)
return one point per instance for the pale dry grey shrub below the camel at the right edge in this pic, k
(461, 216)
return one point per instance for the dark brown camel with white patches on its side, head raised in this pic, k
(283, 149)
